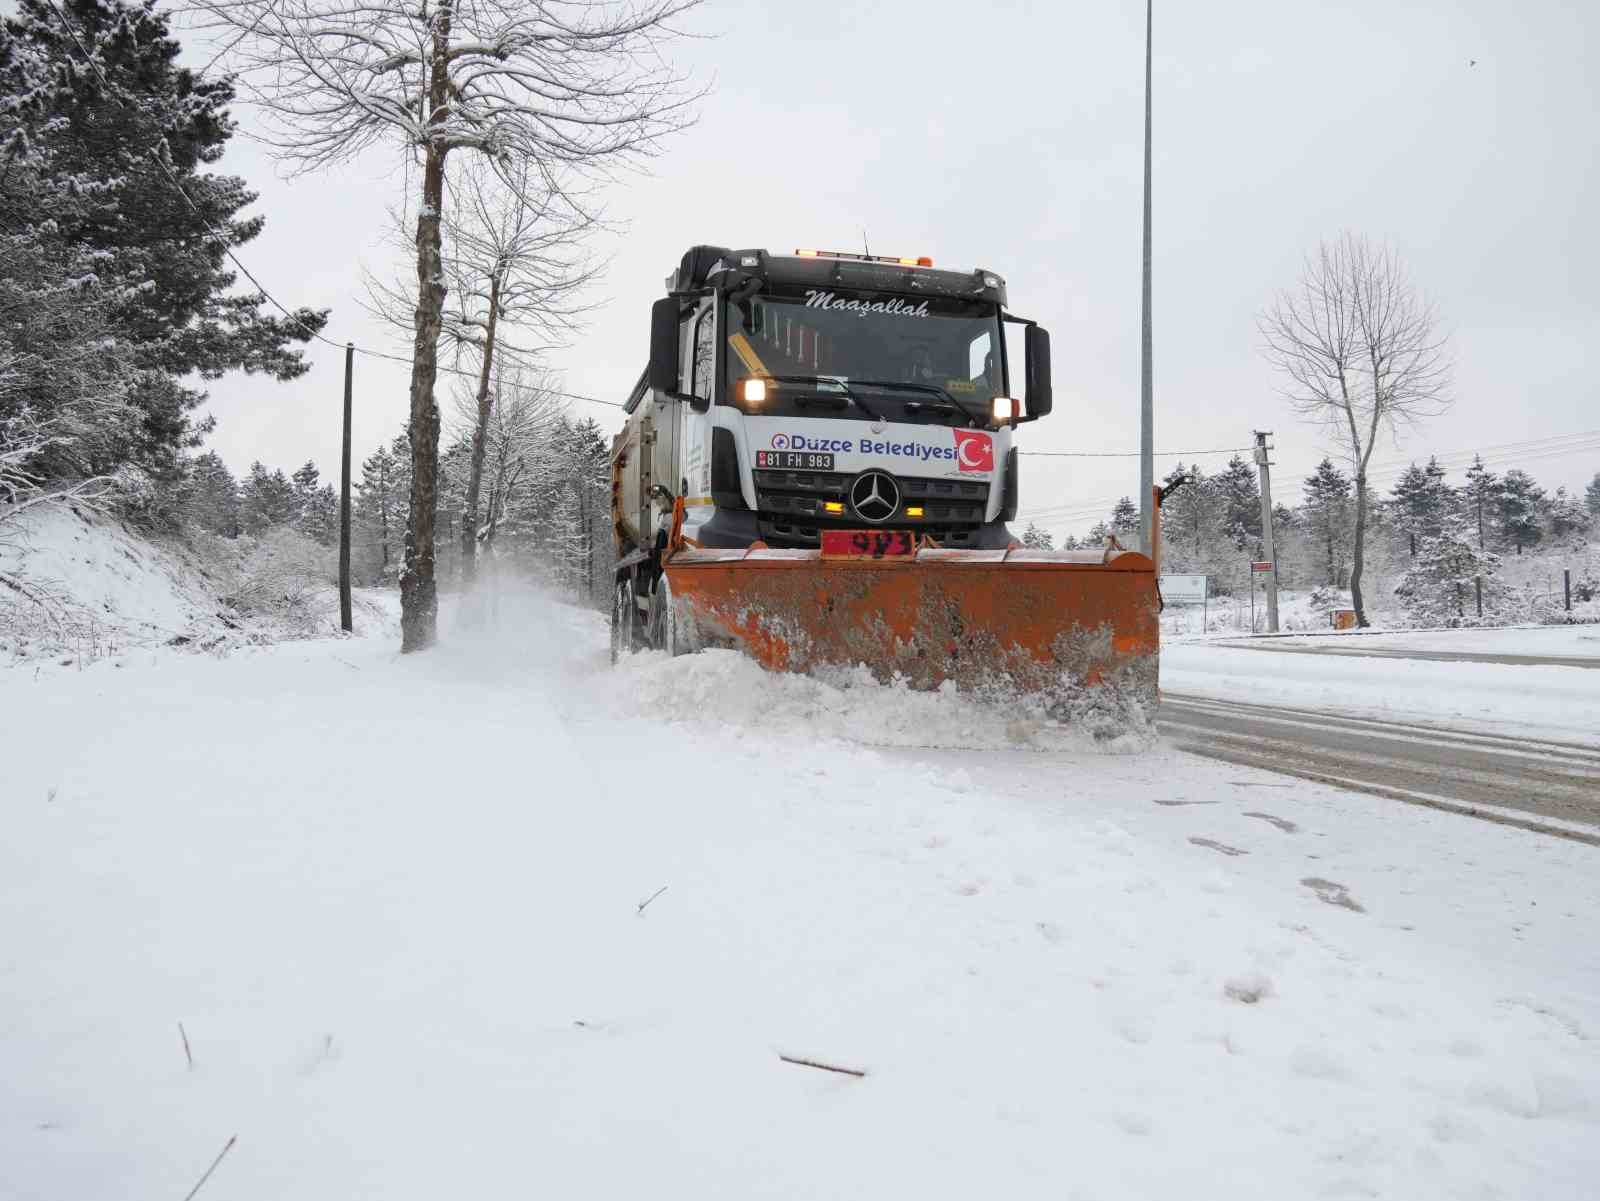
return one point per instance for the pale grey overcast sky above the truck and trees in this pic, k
(1009, 135)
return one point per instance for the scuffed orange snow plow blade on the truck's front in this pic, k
(1078, 629)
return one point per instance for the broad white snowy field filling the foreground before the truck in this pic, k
(396, 908)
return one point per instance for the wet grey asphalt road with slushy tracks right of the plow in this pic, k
(1553, 788)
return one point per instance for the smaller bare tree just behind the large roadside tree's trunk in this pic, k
(514, 269)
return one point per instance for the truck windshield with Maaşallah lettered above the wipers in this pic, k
(866, 356)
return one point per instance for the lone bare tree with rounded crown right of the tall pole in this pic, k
(1362, 354)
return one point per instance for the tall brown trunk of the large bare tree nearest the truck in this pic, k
(418, 588)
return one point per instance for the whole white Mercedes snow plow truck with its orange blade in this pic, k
(818, 468)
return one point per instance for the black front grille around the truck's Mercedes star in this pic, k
(793, 516)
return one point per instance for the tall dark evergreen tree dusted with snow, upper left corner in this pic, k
(103, 148)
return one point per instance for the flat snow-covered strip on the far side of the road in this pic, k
(1345, 674)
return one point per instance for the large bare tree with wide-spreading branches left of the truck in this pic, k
(575, 84)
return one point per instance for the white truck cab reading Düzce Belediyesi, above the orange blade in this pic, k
(788, 396)
